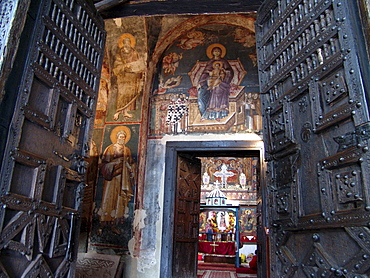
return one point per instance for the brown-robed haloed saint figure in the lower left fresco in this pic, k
(118, 170)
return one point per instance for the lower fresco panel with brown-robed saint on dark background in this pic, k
(114, 202)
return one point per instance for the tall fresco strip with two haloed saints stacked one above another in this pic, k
(116, 135)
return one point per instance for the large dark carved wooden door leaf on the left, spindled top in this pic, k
(42, 173)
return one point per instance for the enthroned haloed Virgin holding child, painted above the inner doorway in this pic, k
(214, 85)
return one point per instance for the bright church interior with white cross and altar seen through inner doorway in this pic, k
(227, 238)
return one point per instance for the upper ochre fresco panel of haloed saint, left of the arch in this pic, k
(123, 72)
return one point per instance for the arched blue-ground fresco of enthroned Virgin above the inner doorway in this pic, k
(207, 82)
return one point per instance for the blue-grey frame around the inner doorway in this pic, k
(205, 149)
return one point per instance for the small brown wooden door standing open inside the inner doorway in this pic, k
(187, 209)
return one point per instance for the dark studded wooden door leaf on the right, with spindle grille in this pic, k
(316, 131)
